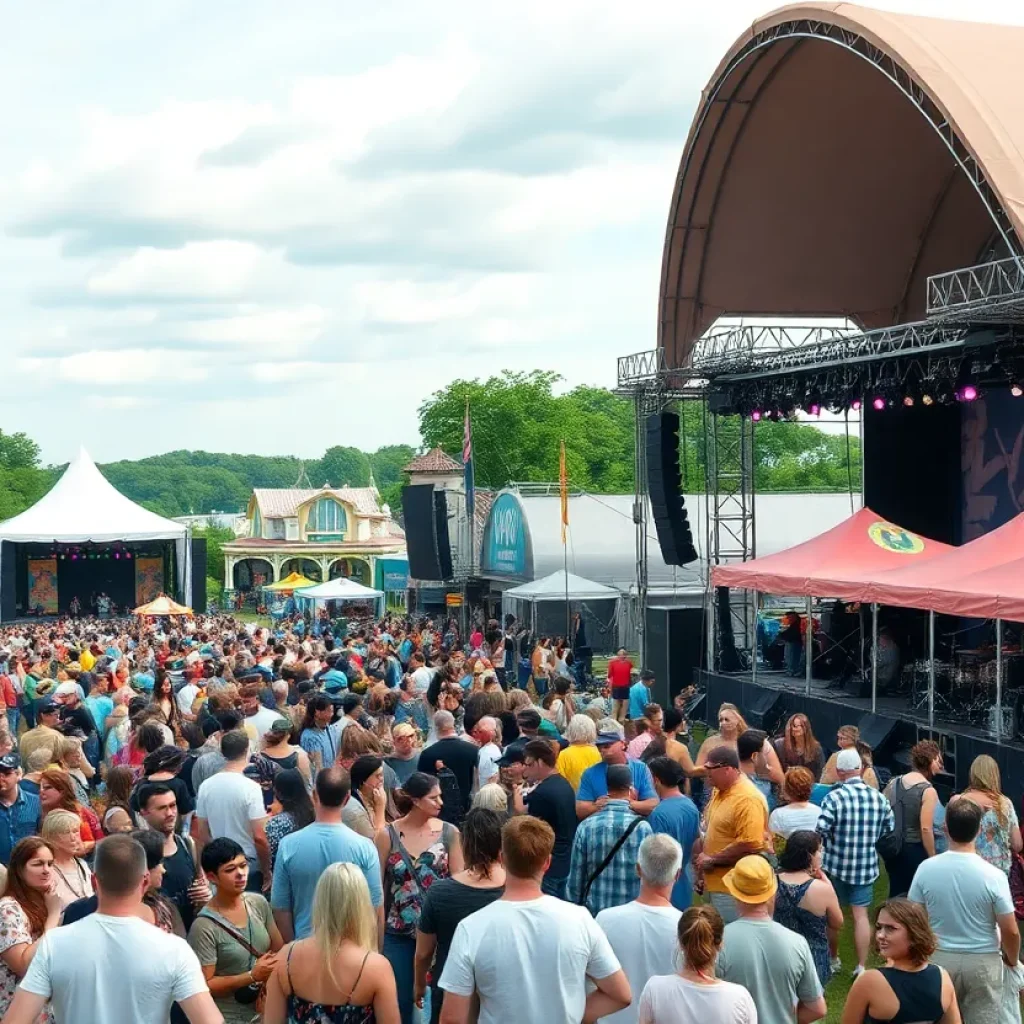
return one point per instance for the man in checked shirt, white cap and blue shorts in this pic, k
(854, 819)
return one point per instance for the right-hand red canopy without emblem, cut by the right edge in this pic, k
(984, 579)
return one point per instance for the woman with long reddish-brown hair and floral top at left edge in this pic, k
(29, 910)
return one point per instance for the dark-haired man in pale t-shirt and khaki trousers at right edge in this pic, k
(972, 914)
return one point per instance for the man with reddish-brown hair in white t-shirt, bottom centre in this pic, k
(528, 956)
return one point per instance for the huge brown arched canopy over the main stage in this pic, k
(840, 156)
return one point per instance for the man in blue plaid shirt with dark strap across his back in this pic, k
(619, 882)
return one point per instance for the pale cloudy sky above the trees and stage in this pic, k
(264, 228)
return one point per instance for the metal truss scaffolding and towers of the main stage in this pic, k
(969, 311)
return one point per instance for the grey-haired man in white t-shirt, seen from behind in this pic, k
(643, 934)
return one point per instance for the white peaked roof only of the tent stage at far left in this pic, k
(84, 507)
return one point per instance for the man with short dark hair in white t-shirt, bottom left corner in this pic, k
(113, 966)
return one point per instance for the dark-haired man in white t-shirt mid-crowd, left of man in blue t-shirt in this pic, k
(232, 805)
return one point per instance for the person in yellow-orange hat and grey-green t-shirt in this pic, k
(774, 964)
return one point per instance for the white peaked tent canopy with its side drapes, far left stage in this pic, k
(84, 508)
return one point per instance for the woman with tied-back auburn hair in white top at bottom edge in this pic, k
(695, 996)
